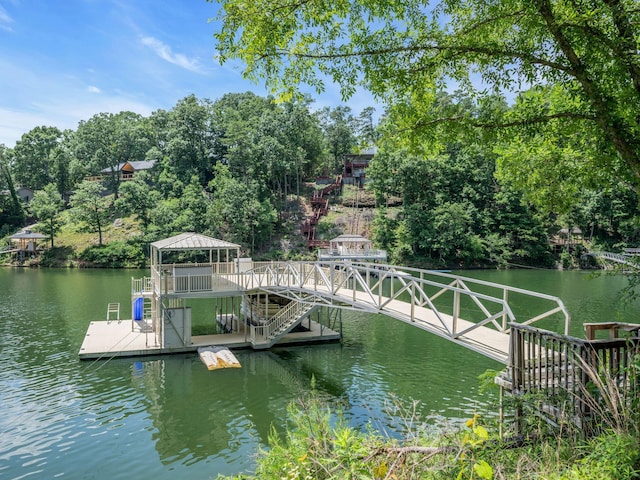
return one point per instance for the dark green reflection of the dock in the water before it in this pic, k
(198, 413)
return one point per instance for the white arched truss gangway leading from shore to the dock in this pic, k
(433, 301)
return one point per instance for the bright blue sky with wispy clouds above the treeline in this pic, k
(63, 61)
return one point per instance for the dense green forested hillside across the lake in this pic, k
(241, 167)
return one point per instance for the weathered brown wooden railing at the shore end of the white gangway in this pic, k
(566, 373)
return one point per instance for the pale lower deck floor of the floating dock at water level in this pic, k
(118, 338)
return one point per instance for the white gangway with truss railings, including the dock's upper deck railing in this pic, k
(410, 294)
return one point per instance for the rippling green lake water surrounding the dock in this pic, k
(168, 417)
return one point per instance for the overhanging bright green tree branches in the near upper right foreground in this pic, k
(581, 57)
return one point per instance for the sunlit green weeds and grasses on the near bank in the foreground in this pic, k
(320, 444)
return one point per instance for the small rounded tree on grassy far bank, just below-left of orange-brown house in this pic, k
(90, 209)
